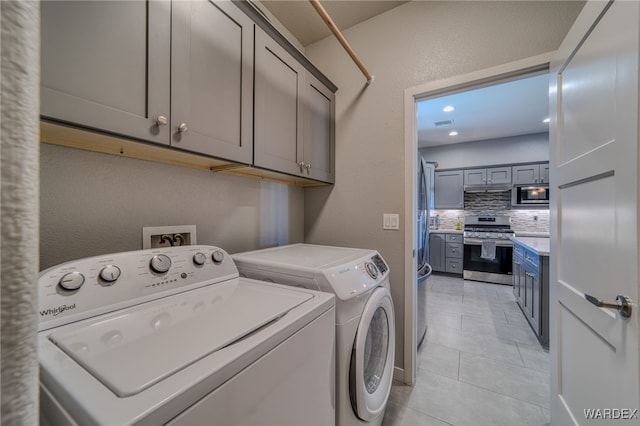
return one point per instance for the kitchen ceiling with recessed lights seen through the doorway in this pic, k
(502, 110)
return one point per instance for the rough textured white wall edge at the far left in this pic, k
(20, 47)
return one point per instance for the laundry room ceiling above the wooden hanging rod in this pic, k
(302, 20)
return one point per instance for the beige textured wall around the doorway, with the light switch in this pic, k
(415, 43)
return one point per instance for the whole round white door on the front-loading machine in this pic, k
(371, 370)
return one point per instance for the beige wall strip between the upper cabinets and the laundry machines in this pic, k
(95, 203)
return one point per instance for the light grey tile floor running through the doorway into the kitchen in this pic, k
(480, 363)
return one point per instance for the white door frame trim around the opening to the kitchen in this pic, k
(437, 88)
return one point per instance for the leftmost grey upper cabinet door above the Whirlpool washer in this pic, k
(106, 65)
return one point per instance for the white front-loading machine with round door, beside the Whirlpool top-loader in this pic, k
(365, 323)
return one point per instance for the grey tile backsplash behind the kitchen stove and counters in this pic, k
(496, 203)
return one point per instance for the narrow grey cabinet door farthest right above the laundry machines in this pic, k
(319, 130)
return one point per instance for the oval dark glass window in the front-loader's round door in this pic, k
(375, 350)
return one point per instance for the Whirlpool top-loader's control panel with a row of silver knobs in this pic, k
(82, 288)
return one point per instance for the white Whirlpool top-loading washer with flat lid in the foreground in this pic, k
(175, 336)
